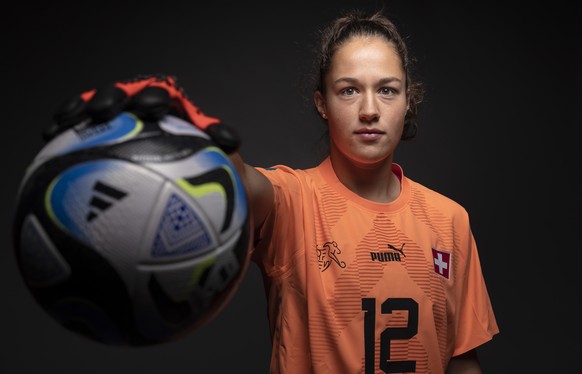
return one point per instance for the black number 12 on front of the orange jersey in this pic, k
(389, 334)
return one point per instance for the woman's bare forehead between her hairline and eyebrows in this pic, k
(367, 54)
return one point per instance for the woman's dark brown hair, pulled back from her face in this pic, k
(356, 23)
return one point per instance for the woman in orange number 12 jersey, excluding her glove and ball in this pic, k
(365, 269)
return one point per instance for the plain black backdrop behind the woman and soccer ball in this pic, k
(498, 134)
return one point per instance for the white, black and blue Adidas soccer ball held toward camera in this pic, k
(132, 232)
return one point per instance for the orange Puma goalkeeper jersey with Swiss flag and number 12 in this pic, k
(355, 286)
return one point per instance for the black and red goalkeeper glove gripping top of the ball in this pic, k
(149, 97)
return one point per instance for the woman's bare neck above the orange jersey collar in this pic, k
(374, 181)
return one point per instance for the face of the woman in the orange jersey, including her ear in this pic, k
(365, 101)
